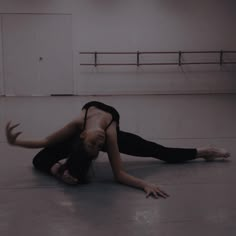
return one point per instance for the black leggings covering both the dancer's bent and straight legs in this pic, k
(128, 143)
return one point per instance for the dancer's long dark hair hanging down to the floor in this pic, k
(79, 162)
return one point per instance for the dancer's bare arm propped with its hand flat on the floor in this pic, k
(118, 170)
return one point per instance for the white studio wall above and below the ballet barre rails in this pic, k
(146, 26)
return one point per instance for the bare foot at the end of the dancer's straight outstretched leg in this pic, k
(210, 153)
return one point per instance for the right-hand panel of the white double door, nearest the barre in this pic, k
(55, 52)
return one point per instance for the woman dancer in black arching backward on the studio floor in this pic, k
(68, 153)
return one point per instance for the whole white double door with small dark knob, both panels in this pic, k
(37, 54)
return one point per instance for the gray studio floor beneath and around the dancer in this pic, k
(203, 194)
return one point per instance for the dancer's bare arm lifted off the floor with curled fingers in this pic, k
(60, 135)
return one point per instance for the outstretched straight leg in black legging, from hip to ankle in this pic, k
(134, 145)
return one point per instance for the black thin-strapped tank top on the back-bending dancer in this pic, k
(103, 107)
